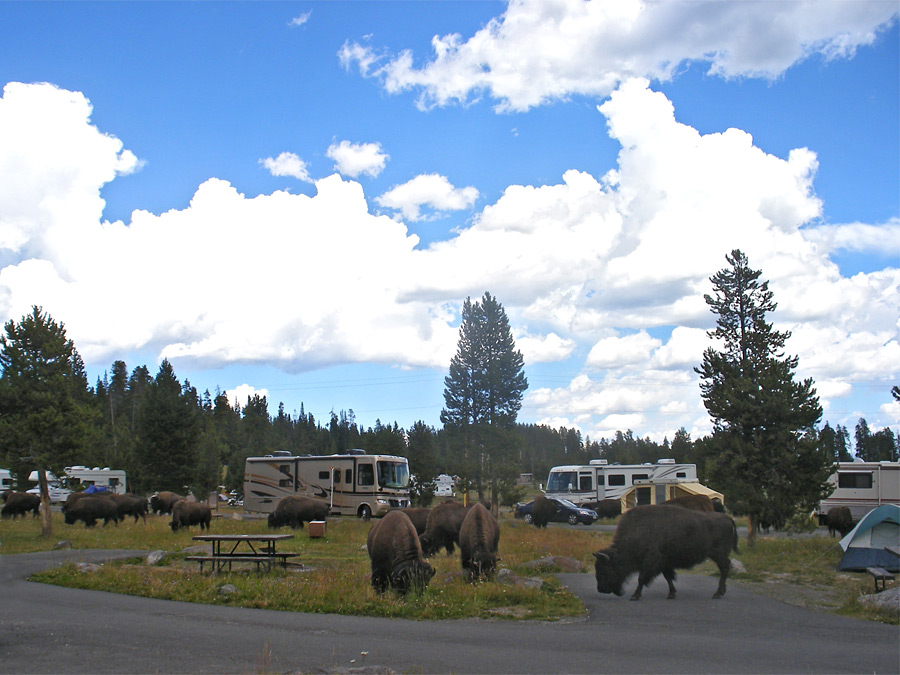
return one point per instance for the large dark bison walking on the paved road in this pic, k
(653, 540)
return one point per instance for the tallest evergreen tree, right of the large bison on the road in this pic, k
(766, 456)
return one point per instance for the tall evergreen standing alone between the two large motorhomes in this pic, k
(483, 395)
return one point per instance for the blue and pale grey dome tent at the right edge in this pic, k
(864, 546)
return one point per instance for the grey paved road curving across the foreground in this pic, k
(47, 629)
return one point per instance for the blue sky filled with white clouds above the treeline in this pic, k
(296, 198)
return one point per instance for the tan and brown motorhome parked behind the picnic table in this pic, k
(354, 483)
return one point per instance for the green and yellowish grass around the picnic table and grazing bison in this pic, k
(334, 577)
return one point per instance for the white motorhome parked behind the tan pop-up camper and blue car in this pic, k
(599, 480)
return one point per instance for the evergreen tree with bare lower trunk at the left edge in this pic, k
(44, 400)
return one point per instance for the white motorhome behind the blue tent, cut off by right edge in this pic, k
(862, 486)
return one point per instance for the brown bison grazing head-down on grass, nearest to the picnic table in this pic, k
(396, 555)
